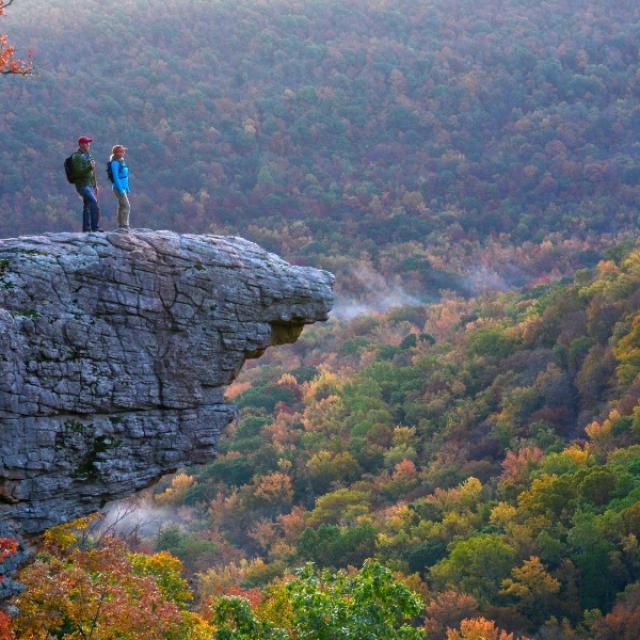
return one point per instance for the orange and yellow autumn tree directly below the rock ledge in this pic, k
(78, 589)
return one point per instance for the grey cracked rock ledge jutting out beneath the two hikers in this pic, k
(115, 350)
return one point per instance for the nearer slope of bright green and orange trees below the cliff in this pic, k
(487, 451)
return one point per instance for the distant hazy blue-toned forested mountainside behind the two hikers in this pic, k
(380, 131)
